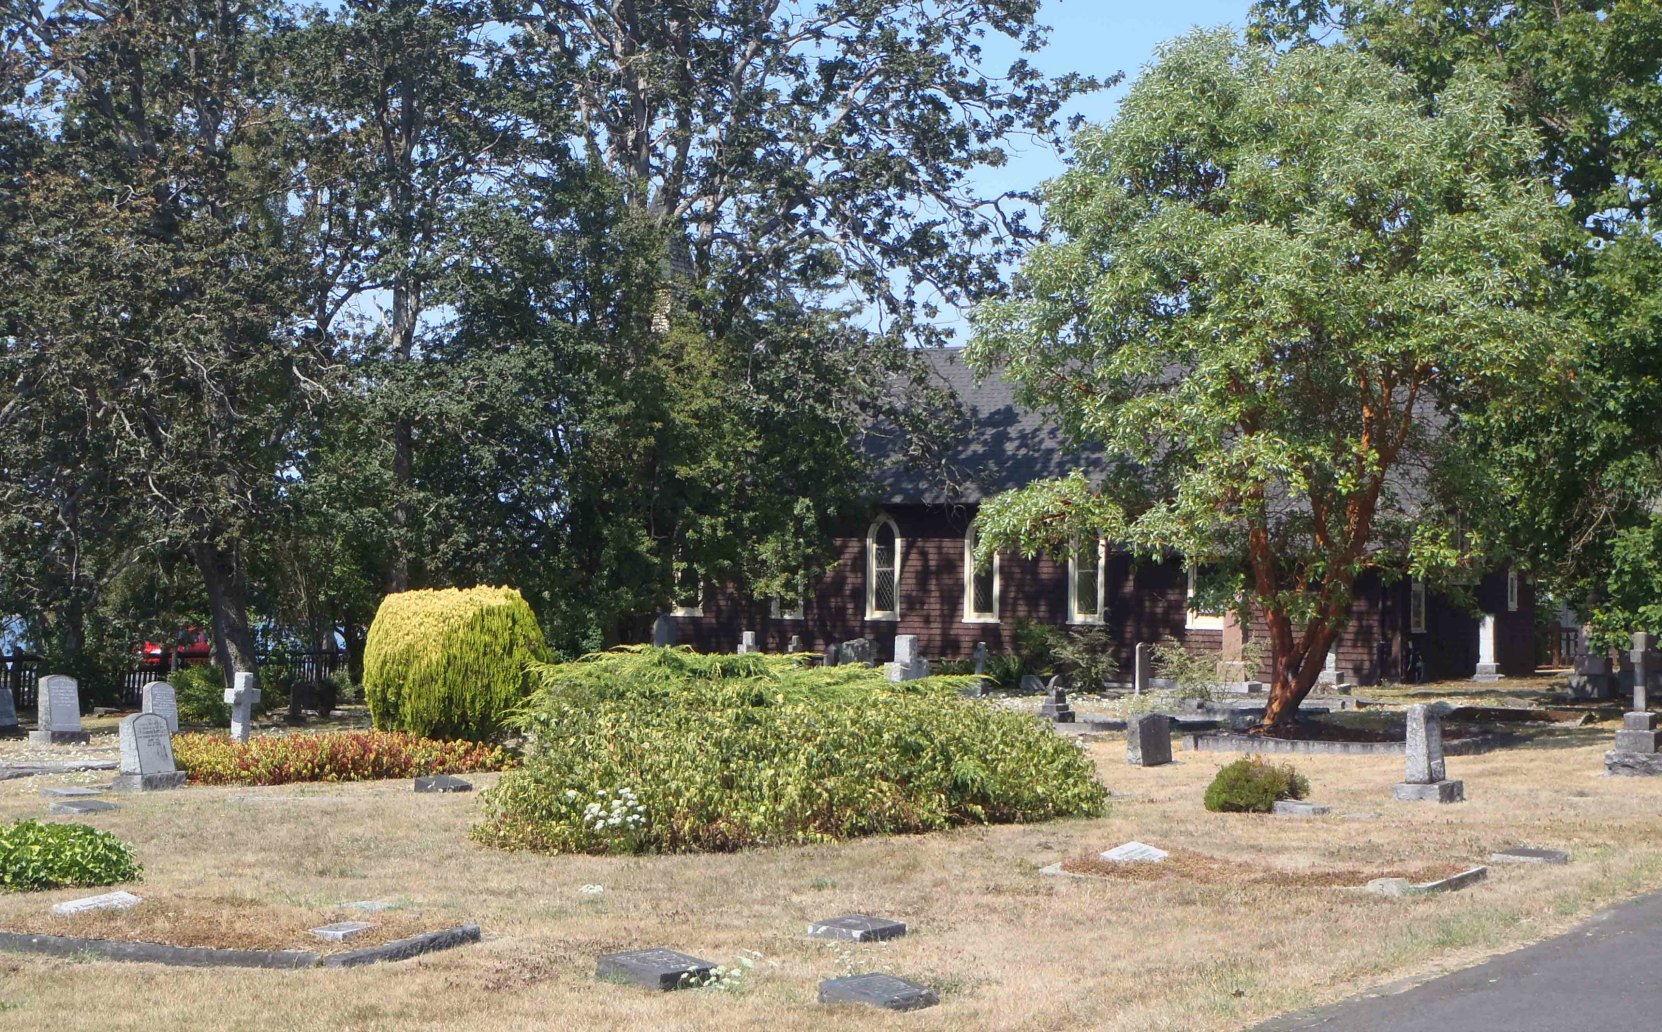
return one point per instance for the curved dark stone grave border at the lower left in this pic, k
(207, 956)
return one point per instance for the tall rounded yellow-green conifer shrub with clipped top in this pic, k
(450, 662)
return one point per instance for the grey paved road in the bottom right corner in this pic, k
(1605, 975)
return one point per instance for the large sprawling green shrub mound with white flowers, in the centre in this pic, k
(666, 750)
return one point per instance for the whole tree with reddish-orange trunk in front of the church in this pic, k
(1281, 283)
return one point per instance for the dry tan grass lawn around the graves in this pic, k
(1006, 946)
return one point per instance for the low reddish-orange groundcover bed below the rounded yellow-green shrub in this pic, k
(333, 757)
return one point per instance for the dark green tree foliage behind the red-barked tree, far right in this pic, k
(1580, 478)
